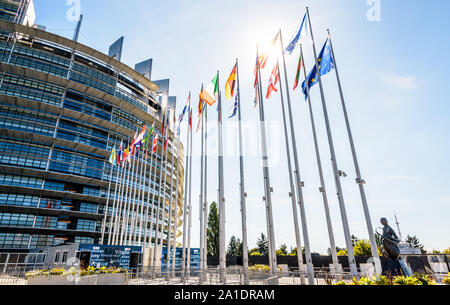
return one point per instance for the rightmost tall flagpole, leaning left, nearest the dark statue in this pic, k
(359, 179)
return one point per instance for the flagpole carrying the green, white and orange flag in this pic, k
(222, 247)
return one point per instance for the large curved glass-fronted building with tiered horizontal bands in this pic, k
(64, 107)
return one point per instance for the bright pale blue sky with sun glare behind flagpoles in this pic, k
(395, 78)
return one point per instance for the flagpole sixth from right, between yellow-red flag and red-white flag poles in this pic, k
(268, 190)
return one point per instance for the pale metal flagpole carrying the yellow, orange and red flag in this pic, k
(242, 185)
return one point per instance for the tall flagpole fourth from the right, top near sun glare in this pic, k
(299, 184)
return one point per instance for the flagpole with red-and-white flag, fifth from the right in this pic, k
(291, 184)
